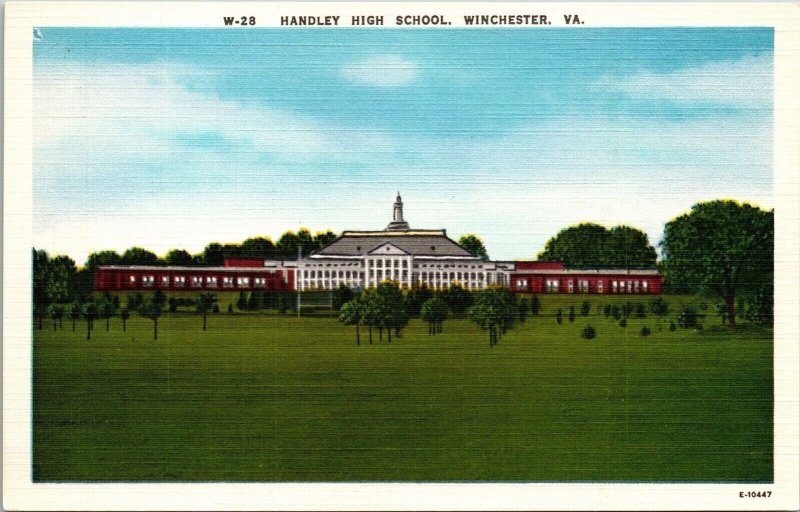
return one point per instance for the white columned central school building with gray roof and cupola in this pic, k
(410, 257)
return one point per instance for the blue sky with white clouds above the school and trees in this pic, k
(174, 138)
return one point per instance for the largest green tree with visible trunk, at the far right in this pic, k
(723, 247)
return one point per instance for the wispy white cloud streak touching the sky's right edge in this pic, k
(744, 82)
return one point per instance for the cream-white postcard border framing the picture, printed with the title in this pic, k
(20, 493)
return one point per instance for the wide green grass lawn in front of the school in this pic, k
(271, 398)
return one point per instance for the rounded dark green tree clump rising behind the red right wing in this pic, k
(592, 245)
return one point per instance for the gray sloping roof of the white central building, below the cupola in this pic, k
(414, 242)
